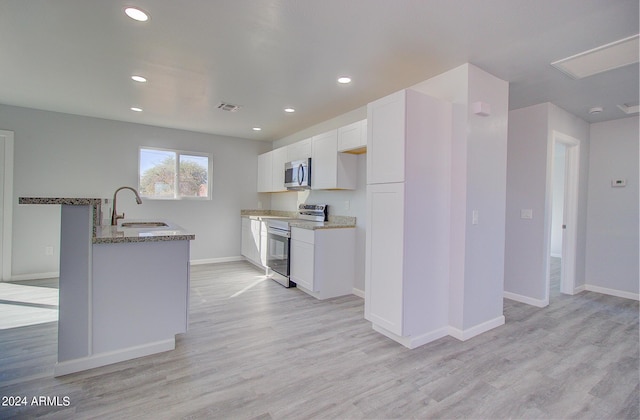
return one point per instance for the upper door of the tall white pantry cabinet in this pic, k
(386, 139)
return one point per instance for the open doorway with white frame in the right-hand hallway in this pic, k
(563, 211)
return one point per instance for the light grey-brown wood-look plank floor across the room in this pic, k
(257, 350)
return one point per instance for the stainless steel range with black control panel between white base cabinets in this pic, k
(279, 236)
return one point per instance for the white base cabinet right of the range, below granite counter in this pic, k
(322, 261)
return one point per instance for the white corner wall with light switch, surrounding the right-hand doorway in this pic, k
(529, 171)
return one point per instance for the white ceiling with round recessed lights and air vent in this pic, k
(76, 56)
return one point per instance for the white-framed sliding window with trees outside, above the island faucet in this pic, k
(172, 174)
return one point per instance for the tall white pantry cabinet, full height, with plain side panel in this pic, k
(408, 196)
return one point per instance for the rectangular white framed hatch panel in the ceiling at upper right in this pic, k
(598, 60)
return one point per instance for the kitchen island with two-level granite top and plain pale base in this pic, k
(124, 291)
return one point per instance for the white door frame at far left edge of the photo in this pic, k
(6, 143)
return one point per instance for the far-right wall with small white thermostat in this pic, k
(612, 225)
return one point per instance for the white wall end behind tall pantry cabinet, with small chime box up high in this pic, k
(479, 159)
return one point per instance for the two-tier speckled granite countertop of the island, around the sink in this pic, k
(107, 234)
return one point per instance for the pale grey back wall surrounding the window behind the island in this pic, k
(62, 155)
